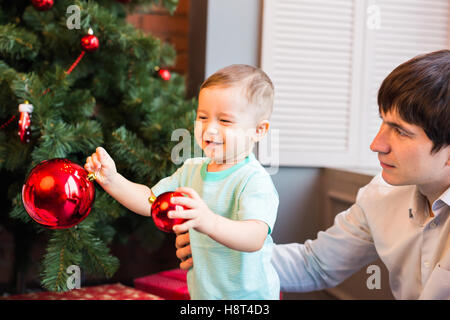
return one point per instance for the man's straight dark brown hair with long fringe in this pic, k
(419, 90)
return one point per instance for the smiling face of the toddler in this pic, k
(226, 126)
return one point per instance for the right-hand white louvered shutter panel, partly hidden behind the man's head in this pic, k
(407, 28)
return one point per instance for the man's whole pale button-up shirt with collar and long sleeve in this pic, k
(390, 222)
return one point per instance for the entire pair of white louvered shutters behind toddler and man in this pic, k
(327, 65)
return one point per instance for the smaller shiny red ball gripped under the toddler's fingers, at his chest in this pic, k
(160, 206)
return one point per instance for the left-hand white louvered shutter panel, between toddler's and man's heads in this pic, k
(308, 50)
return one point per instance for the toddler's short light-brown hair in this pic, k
(257, 86)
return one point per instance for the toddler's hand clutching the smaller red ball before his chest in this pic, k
(199, 216)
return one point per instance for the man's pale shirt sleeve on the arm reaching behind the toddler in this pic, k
(336, 254)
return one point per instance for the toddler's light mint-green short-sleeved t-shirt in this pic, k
(242, 192)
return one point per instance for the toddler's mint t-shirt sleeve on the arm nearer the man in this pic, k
(259, 201)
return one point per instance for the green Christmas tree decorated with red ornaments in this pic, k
(110, 96)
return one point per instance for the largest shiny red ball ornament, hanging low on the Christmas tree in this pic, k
(57, 194)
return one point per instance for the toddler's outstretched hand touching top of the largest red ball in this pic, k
(102, 165)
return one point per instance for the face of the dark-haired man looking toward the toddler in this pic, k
(404, 152)
